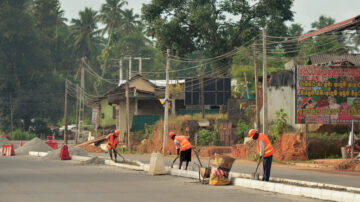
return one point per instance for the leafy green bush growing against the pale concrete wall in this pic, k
(279, 126)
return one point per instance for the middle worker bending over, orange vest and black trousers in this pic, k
(183, 147)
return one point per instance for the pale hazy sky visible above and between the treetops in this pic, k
(306, 11)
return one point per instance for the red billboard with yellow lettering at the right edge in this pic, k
(327, 94)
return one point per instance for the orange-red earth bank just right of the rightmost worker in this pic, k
(290, 147)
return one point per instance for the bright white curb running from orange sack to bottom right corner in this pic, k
(323, 194)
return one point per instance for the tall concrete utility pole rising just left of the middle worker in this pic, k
(166, 111)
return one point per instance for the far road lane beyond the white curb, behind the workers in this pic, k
(278, 170)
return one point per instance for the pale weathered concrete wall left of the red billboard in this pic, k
(281, 97)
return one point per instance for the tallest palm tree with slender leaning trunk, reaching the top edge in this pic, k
(110, 15)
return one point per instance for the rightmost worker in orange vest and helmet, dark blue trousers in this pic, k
(265, 150)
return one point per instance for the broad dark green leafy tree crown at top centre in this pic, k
(188, 26)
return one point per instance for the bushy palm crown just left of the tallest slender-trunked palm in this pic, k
(84, 31)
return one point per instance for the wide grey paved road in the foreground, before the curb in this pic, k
(23, 178)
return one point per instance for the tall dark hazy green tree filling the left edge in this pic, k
(24, 67)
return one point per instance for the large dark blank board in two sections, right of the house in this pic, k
(216, 91)
